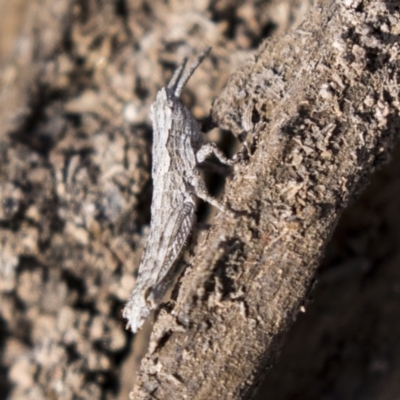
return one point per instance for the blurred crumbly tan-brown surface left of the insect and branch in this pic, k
(77, 79)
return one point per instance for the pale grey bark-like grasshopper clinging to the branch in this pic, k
(177, 151)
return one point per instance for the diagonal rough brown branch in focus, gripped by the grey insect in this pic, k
(319, 110)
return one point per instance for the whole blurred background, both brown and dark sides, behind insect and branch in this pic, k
(76, 82)
